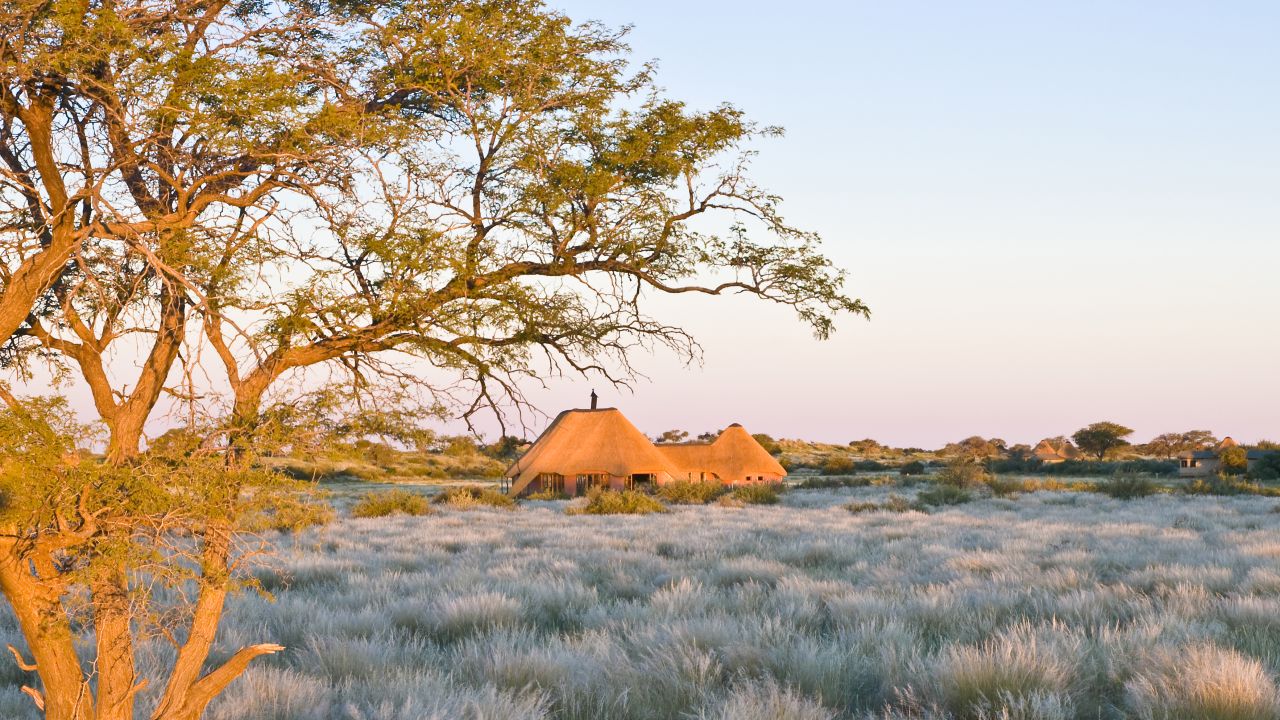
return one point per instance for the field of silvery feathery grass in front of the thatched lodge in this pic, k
(1049, 605)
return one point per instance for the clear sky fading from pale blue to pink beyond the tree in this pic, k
(1059, 213)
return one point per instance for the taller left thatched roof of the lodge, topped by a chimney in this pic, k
(589, 441)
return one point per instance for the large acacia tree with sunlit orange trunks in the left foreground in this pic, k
(479, 186)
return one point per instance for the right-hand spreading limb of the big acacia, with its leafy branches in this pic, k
(538, 195)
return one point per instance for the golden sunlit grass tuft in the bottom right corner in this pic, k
(1206, 683)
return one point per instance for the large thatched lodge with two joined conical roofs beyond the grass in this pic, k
(600, 448)
